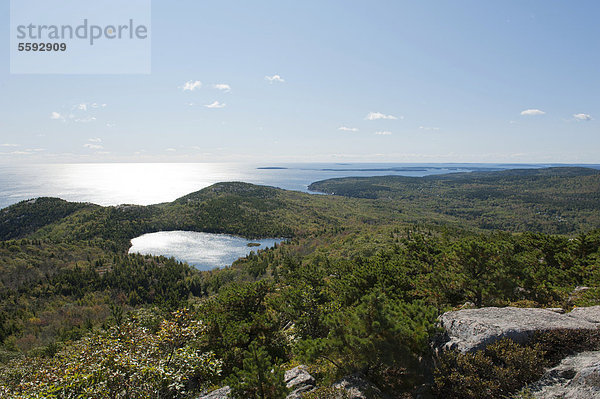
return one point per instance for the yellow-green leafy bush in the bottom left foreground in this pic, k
(127, 361)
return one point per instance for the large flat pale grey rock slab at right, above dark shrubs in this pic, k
(472, 329)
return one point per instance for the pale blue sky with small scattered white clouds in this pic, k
(330, 81)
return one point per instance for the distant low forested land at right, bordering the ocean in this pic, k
(553, 200)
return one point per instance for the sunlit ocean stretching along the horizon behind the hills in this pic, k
(150, 183)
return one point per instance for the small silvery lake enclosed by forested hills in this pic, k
(204, 251)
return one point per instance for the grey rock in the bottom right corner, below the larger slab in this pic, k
(576, 377)
